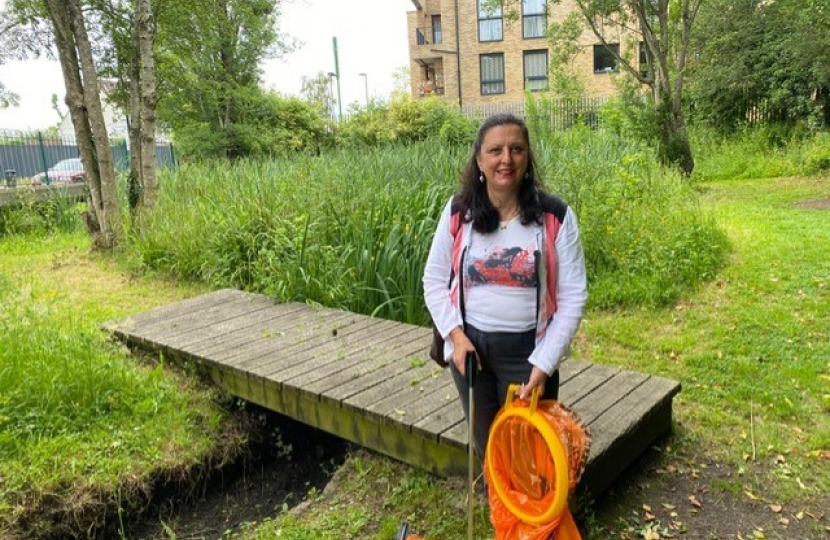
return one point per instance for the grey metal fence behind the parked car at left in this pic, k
(25, 154)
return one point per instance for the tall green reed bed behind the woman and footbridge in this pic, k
(352, 229)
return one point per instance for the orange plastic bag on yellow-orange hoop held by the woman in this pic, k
(535, 457)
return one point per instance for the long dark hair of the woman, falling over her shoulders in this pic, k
(473, 201)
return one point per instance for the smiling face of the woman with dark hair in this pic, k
(503, 158)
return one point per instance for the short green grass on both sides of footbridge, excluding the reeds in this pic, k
(750, 348)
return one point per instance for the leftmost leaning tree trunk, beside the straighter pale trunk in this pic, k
(84, 102)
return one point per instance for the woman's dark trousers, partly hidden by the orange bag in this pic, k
(503, 362)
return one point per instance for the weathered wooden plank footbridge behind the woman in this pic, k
(369, 380)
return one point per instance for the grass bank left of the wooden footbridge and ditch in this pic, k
(80, 420)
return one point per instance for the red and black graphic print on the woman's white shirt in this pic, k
(507, 267)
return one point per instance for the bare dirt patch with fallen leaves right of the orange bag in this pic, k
(675, 496)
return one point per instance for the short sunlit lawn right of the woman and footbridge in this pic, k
(751, 348)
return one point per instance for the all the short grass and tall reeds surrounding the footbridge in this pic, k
(750, 345)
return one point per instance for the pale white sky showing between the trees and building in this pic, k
(371, 39)
